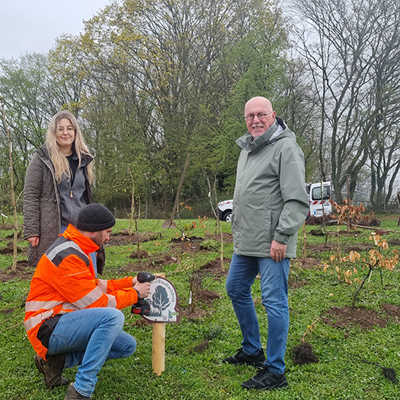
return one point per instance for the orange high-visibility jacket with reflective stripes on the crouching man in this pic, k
(64, 281)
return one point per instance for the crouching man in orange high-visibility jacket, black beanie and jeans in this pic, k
(72, 318)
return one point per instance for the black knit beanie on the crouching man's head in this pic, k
(94, 218)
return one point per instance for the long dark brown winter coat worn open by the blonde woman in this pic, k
(42, 215)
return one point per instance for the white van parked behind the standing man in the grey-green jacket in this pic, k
(319, 195)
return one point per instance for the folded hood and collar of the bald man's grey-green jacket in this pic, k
(277, 131)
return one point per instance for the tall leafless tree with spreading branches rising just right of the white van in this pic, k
(341, 52)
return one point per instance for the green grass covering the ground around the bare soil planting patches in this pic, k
(190, 375)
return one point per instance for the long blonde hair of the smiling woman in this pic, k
(59, 160)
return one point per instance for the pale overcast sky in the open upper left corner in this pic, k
(28, 26)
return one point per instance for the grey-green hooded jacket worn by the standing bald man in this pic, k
(270, 200)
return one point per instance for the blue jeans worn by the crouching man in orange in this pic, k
(88, 338)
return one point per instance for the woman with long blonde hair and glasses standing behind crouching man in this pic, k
(57, 184)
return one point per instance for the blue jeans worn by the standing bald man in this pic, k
(274, 292)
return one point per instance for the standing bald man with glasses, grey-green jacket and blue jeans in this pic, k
(270, 204)
